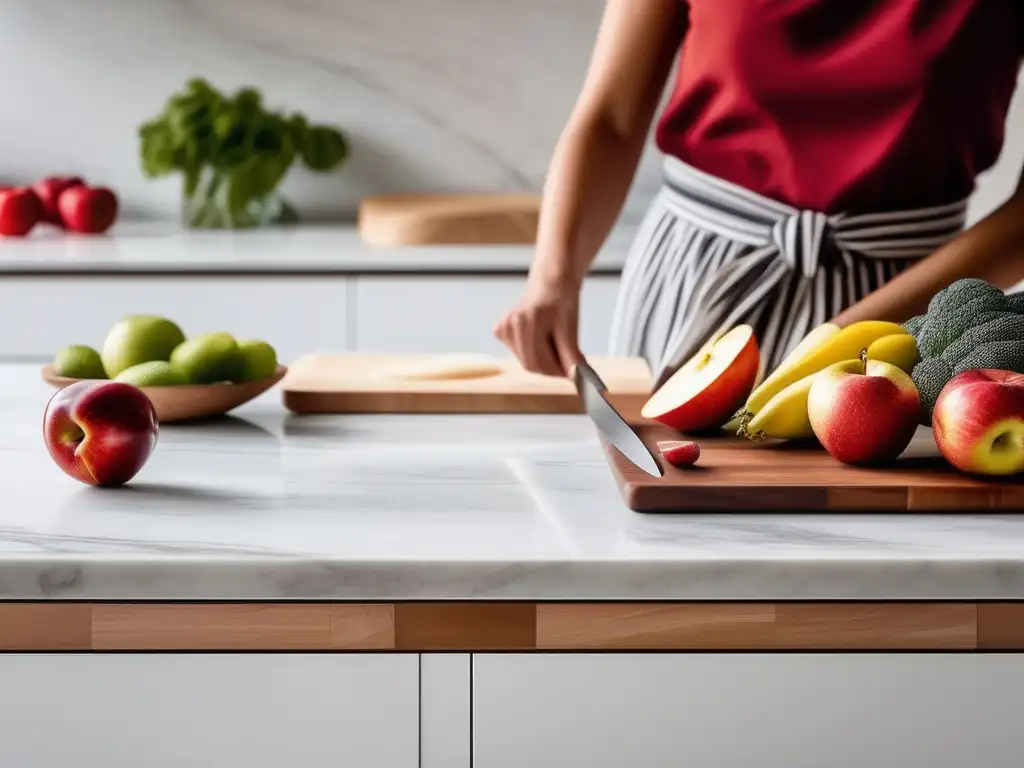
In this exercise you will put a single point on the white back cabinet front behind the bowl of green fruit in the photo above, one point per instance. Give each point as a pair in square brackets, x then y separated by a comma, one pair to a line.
[38, 316]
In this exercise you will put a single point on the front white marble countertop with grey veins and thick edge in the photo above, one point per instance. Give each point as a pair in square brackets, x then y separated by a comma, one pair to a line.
[267, 505]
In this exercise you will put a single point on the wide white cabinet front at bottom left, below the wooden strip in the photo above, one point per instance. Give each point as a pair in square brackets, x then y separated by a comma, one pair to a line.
[168, 711]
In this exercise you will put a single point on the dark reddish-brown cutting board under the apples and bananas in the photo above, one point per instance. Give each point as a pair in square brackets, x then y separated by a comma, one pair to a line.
[735, 475]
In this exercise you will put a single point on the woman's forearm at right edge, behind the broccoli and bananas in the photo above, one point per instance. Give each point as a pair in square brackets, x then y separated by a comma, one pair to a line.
[993, 250]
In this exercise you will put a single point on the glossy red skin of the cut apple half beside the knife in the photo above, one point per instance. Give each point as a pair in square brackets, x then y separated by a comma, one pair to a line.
[718, 403]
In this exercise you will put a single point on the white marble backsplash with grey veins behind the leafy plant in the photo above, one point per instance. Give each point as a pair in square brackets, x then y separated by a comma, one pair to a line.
[438, 96]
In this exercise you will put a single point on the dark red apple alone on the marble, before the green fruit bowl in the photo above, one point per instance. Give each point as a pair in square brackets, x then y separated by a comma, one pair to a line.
[101, 433]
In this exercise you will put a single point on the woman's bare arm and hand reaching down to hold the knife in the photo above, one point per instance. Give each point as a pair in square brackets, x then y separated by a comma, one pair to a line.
[590, 176]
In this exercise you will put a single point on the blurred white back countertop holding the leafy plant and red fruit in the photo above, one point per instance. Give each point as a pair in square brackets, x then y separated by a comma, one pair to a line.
[151, 248]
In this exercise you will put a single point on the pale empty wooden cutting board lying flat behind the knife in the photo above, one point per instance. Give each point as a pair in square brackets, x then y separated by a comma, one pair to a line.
[391, 385]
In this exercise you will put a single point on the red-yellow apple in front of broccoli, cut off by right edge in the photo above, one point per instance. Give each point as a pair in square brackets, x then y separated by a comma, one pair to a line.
[978, 422]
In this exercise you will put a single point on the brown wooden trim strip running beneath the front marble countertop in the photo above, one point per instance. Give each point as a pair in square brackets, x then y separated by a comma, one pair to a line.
[426, 627]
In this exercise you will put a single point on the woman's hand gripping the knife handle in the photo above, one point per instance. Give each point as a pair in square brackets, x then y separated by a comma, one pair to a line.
[542, 328]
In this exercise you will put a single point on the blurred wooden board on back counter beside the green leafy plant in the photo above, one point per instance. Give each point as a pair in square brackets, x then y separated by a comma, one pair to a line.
[424, 220]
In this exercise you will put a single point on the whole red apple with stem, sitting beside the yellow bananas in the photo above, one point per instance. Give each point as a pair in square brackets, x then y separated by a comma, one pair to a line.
[868, 416]
